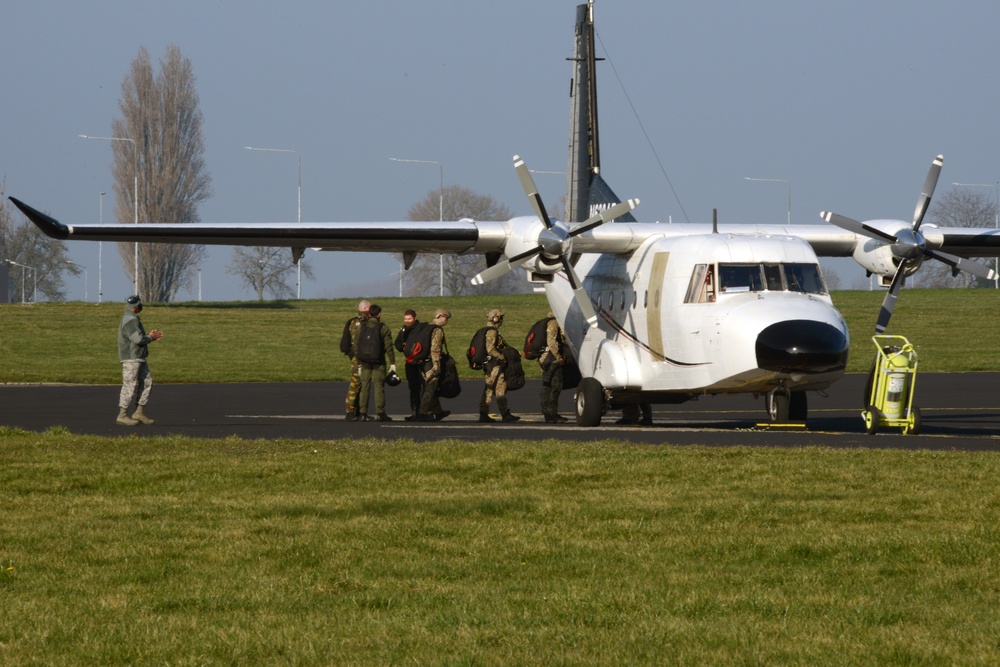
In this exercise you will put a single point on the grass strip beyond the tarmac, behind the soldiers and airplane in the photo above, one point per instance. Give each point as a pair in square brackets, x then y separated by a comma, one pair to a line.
[953, 330]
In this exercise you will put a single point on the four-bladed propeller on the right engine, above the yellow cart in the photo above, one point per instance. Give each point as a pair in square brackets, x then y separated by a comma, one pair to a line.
[909, 245]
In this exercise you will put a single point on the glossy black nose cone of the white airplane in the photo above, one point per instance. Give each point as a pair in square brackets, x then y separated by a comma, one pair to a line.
[802, 346]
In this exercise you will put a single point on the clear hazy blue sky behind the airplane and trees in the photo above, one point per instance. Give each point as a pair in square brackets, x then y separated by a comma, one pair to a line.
[848, 101]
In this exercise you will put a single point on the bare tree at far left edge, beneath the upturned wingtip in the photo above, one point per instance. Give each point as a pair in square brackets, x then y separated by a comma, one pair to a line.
[26, 245]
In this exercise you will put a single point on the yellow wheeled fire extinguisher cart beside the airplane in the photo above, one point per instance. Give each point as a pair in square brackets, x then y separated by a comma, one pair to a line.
[890, 393]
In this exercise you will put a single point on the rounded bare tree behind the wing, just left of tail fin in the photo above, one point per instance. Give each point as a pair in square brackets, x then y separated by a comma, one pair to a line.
[425, 275]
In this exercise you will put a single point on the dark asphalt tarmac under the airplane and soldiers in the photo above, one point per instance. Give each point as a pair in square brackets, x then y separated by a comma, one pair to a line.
[960, 411]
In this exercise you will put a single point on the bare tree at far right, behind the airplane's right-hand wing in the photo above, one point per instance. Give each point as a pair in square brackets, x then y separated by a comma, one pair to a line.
[959, 207]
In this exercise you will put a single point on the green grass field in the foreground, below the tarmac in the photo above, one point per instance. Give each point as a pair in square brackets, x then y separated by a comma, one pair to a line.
[179, 551]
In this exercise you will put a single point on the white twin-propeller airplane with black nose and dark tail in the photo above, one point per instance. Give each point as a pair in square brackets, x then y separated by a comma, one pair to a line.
[653, 313]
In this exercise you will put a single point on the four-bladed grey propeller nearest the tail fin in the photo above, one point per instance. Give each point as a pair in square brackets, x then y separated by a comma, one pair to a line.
[554, 241]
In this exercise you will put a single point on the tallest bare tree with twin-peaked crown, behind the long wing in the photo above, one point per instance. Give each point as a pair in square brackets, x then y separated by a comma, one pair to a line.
[162, 122]
